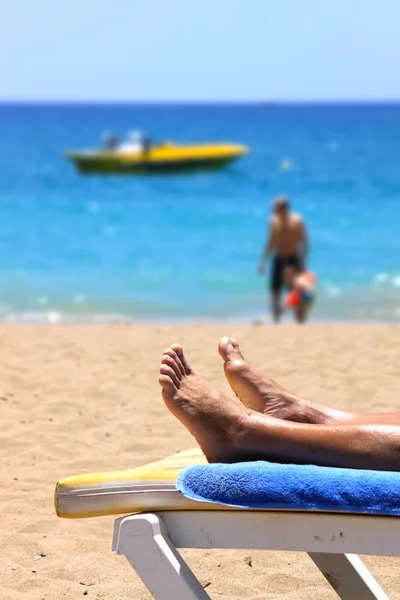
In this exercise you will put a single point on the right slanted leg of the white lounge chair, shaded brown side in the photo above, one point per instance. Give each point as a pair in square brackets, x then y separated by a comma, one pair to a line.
[348, 576]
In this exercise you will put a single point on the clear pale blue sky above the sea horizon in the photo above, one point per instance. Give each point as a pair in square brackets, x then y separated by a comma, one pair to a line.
[127, 50]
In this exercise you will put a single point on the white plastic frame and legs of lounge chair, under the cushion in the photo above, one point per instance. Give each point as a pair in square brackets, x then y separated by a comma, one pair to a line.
[149, 541]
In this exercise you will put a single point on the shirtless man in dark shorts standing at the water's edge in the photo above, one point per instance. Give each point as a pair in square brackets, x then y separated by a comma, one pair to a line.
[287, 242]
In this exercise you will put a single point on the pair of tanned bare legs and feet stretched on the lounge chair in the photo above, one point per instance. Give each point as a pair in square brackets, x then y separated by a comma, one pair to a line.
[270, 422]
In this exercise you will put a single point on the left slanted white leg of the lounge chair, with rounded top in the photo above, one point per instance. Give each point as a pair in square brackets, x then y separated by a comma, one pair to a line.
[143, 540]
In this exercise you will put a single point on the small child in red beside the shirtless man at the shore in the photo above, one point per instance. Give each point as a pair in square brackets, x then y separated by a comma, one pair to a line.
[301, 291]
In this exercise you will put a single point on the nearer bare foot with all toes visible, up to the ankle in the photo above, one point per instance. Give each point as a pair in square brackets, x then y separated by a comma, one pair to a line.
[212, 418]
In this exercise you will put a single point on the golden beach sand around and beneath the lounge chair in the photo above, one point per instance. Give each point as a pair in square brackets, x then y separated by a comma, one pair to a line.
[77, 399]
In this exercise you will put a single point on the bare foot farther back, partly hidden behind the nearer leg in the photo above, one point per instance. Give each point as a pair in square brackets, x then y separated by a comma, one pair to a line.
[262, 394]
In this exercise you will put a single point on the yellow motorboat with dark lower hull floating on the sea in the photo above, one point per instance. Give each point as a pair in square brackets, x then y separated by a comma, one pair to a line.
[165, 157]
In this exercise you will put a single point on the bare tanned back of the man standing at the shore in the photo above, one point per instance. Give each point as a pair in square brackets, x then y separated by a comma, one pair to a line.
[287, 234]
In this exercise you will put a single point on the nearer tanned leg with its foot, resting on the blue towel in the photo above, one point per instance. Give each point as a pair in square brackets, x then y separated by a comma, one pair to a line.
[229, 432]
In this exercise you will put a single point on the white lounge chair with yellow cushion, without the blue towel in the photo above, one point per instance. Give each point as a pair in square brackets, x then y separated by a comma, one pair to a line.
[168, 520]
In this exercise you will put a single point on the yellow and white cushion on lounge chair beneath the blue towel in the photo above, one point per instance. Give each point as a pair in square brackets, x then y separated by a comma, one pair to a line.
[144, 489]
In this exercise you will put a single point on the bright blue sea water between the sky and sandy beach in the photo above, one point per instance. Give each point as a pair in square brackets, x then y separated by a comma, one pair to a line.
[186, 247]
